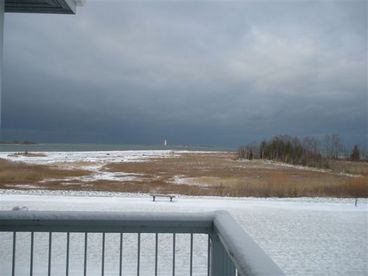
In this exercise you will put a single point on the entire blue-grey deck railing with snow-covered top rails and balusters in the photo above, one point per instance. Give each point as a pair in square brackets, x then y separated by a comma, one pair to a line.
[229, 250]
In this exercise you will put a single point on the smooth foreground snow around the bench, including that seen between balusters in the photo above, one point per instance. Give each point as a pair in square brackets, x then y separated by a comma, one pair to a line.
[304, 236]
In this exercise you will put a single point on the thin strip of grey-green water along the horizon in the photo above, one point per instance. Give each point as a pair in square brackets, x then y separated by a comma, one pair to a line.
[103, 147]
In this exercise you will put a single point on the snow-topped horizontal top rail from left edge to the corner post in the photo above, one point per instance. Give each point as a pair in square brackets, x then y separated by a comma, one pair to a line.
[128, 222]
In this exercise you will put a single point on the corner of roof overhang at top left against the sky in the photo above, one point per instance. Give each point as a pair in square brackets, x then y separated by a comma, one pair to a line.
[43, 6]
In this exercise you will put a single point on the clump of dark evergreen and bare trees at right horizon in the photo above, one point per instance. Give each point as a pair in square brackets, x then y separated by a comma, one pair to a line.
[308, 151]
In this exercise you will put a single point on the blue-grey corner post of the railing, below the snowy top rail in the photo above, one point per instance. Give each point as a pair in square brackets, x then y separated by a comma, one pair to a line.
[220, 265]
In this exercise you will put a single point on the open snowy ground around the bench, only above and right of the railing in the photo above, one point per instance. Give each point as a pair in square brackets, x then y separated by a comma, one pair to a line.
[304, 236]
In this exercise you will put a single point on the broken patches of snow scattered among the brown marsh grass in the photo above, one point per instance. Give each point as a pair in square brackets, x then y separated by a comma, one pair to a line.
[95, 161]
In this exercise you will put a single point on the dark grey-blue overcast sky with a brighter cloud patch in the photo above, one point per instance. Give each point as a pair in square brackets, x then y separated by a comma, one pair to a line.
[194, 72]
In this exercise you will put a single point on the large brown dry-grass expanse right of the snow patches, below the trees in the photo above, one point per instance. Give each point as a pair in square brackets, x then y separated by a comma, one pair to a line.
[221, 175]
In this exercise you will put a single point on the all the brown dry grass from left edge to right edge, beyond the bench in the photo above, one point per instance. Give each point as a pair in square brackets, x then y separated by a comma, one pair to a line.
[209, 174]
